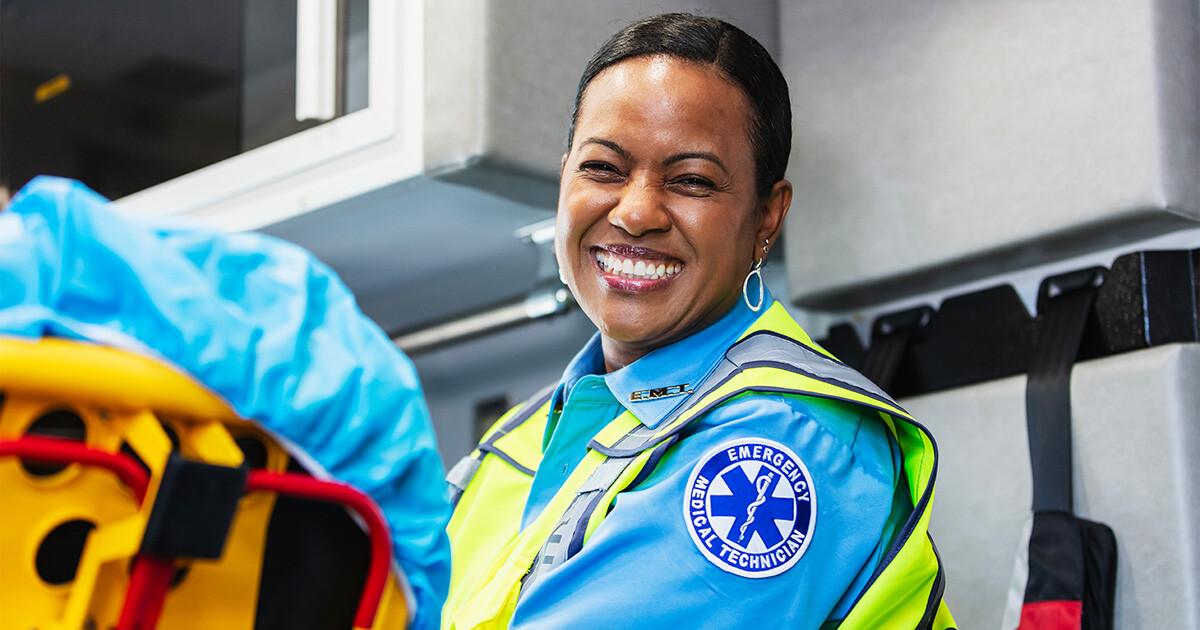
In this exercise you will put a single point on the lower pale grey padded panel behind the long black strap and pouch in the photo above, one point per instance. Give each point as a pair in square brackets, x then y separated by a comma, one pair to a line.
[1137, 469]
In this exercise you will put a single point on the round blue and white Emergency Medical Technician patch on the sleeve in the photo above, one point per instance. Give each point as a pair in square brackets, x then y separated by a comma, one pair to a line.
[751, 507]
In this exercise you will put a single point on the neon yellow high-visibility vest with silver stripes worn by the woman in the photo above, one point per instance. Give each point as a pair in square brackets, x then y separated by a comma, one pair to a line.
[494, 560]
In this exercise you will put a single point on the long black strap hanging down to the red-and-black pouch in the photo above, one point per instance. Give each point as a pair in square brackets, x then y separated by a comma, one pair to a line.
[1064, 307]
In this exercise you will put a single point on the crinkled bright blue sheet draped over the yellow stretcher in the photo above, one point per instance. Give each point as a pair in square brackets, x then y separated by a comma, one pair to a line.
[256, 320]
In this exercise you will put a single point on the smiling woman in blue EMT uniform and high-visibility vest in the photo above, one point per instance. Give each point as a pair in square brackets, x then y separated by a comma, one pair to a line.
[701, 464]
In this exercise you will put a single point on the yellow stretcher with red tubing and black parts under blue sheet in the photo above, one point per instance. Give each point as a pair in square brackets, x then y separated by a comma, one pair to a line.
[134, 499]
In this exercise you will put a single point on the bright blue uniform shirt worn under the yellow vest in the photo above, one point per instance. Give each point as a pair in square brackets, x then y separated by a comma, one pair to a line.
[641, 568]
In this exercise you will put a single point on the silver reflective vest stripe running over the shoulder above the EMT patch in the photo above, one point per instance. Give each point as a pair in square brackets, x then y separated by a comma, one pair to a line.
[761, 349]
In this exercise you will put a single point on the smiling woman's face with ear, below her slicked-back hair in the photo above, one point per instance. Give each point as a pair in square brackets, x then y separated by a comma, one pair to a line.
[658, 217]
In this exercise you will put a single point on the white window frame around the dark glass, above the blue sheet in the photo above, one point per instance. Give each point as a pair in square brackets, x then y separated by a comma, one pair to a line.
[347, 157]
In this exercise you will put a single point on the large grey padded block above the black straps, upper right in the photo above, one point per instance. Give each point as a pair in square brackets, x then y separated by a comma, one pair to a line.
[939, 143]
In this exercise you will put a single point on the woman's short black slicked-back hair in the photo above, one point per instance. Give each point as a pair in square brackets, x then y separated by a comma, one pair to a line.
[735, 55]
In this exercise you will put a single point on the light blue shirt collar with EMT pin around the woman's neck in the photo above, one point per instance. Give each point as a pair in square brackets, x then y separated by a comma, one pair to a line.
[656, 385]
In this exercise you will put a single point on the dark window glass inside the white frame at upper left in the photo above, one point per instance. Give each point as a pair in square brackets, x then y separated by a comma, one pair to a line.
[124, 95]
